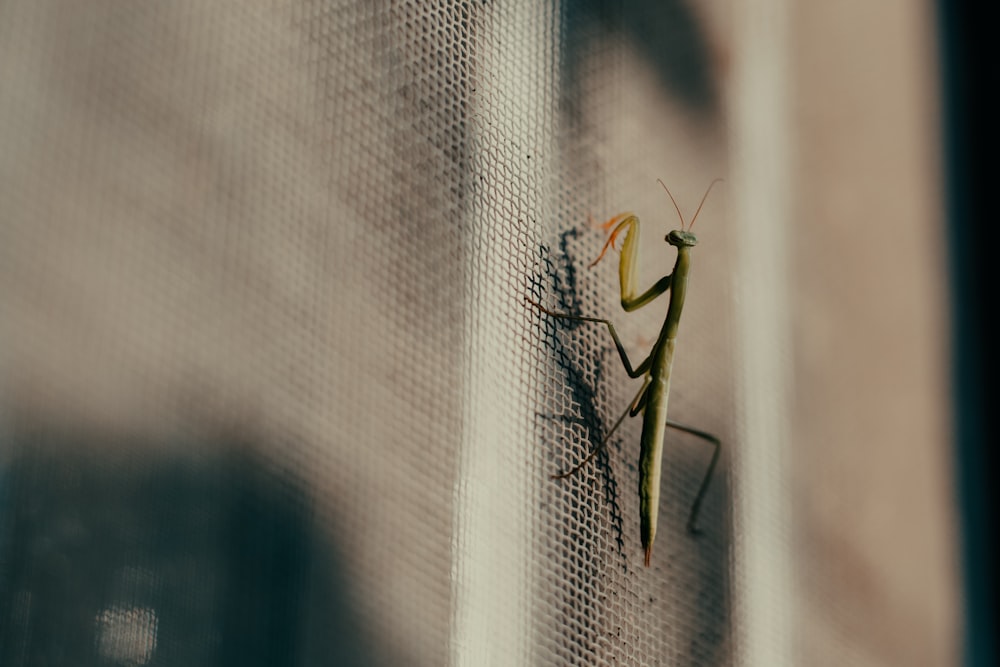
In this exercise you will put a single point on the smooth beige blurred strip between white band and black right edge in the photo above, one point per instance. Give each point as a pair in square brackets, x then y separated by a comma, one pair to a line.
[873, 463]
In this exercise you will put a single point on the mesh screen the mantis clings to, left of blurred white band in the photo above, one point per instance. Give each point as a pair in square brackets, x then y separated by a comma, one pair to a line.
[271, 391]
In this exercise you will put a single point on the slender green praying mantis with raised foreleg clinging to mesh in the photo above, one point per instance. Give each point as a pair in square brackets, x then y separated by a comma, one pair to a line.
[652, 398]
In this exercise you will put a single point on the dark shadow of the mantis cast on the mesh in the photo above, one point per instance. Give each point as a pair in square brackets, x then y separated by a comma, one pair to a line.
[582, 381]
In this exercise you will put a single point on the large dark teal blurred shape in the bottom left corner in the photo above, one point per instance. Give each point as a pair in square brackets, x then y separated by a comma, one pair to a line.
[115, 556]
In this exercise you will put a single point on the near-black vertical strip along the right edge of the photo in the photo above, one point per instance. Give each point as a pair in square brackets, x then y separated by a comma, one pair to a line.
[971, 77]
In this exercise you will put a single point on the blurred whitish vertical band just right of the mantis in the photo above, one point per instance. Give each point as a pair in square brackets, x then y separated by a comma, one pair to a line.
[762, 151]
